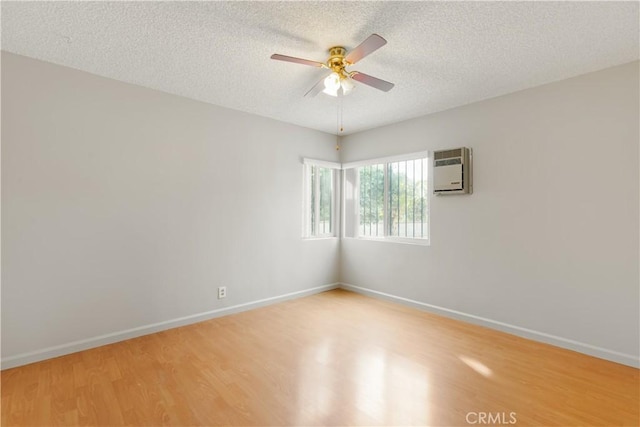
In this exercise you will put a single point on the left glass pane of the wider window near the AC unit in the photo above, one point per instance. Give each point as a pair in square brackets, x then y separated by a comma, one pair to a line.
[371, 201]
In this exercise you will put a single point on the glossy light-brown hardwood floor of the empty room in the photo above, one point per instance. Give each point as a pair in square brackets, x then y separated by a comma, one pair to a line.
[335, 358]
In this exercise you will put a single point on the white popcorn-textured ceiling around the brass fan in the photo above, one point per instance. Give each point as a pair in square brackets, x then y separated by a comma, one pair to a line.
[439, 54]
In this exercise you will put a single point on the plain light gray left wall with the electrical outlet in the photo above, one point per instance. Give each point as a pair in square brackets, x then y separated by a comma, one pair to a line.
[124, 207]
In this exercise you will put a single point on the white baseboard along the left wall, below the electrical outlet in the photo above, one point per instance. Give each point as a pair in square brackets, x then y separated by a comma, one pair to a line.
[75, 346]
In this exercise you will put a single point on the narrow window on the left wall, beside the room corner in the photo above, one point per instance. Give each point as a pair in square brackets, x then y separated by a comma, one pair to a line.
[320, 207]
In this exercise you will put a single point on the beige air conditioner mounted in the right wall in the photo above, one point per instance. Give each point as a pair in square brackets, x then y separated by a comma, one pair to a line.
[452, 171]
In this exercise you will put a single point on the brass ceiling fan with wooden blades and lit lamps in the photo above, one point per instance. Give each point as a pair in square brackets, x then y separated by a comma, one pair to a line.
[339, 82]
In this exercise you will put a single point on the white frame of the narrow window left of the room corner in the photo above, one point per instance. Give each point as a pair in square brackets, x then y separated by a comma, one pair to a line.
[307, 223]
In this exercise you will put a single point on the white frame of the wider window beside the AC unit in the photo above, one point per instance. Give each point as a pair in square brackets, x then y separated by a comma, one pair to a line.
[385, 162]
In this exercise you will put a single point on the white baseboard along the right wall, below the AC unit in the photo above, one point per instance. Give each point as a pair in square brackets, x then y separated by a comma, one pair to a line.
[591, 350]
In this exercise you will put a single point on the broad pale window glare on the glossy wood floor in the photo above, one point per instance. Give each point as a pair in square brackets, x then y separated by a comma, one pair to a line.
[377, 387]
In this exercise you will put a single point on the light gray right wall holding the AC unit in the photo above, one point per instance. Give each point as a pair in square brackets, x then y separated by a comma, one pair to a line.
[549, 239]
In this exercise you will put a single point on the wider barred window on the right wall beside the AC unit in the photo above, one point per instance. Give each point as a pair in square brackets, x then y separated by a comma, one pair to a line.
[388, 199]
